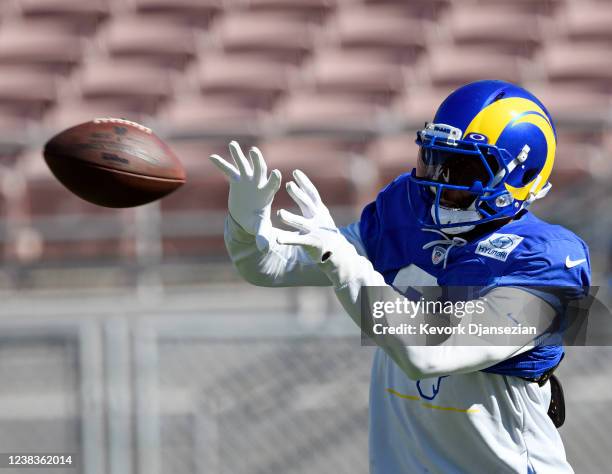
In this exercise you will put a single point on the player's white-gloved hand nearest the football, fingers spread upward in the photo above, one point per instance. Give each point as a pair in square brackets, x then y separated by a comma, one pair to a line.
[251, 190]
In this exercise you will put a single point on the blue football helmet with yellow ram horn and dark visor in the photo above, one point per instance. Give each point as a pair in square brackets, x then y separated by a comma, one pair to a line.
[487, 155]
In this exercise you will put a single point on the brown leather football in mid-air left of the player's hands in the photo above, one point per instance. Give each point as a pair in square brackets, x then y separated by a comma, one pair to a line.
[114, 163]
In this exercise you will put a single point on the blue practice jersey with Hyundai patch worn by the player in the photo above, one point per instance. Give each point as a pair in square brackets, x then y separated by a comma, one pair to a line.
[526, 252]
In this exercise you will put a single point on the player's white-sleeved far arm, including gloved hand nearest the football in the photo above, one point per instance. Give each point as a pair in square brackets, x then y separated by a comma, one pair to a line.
[250, 238]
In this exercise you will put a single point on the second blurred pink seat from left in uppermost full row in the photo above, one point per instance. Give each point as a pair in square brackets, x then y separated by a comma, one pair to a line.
[159, 42]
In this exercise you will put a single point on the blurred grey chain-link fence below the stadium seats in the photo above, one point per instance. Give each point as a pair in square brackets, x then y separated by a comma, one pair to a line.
[158, 390]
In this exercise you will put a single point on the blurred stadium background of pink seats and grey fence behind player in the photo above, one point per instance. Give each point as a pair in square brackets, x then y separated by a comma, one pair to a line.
[126, 335]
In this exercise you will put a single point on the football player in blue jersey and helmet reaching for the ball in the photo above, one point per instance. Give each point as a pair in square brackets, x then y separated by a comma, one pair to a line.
[460, 218]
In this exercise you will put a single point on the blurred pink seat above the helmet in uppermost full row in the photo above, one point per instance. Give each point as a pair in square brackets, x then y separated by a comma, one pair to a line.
[494, 28]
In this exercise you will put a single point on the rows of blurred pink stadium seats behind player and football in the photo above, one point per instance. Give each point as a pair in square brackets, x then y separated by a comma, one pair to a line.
[335, 87]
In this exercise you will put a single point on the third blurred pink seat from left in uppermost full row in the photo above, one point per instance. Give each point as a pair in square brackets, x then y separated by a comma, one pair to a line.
[279, 37]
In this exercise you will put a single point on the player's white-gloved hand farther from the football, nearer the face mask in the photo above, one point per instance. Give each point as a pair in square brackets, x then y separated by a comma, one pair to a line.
[317, 233]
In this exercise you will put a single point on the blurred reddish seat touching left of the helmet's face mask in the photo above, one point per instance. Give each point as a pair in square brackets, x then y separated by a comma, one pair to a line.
[393, 155]
